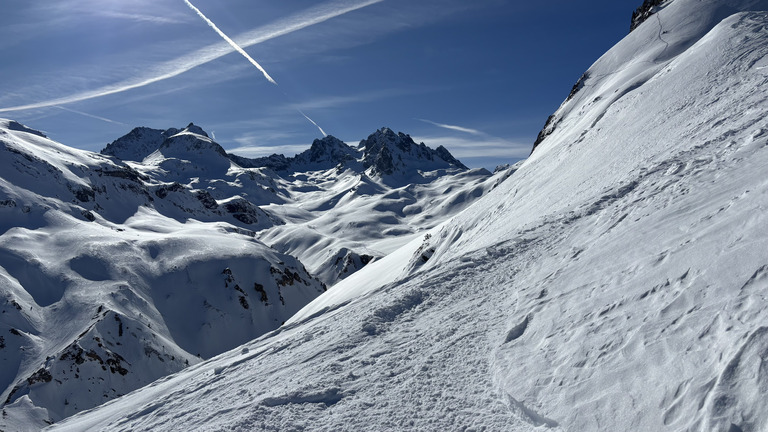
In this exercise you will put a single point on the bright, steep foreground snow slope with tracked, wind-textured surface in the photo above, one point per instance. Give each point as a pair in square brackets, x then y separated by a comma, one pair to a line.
[617, 281]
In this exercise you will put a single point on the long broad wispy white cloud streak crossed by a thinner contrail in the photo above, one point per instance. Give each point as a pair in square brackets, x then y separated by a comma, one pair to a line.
[173, 68]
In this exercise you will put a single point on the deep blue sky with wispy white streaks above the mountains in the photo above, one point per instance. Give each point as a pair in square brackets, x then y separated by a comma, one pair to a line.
[477, 77]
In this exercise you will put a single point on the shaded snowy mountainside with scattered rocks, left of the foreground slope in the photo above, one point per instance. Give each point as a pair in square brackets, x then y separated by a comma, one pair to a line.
[102, 292]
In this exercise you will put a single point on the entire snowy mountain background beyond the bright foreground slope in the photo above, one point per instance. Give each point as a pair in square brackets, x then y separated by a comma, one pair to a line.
[117, 269]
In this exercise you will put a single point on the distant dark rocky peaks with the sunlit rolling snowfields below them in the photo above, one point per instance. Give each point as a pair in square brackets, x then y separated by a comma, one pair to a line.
[334, 206]
